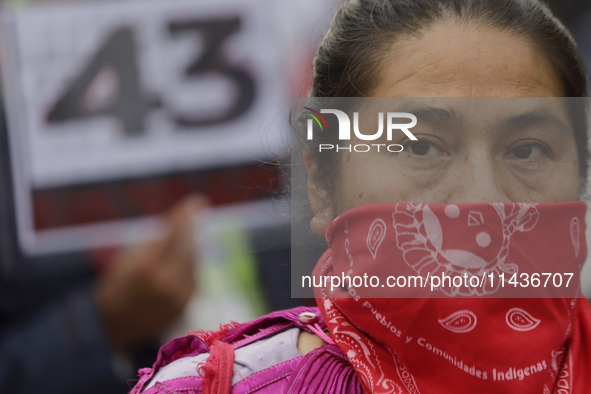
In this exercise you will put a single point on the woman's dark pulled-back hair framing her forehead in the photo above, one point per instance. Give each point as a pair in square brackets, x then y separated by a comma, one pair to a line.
[362, 30]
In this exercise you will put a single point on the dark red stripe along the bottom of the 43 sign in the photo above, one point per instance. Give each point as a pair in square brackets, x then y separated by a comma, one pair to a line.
[89, 204]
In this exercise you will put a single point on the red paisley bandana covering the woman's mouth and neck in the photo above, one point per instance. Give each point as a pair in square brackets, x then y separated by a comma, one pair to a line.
[460, 344]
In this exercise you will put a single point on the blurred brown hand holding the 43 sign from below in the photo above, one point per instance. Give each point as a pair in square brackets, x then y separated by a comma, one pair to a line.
[147, 287]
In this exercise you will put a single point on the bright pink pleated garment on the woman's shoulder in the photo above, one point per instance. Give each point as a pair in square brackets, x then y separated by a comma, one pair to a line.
[323, 370]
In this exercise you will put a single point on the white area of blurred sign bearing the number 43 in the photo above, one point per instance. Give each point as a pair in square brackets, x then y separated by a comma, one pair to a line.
[109, 90]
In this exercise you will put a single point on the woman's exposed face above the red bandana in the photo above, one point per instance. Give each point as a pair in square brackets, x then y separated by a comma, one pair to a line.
[467, 158]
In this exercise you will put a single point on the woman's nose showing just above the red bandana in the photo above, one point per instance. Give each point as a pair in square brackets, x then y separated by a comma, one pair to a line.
[476, 178]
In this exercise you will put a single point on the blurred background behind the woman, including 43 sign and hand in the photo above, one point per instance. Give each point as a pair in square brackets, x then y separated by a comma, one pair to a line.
[143, 170]
